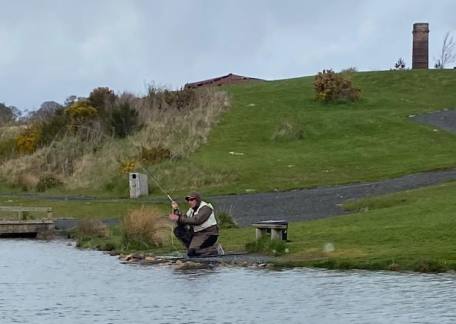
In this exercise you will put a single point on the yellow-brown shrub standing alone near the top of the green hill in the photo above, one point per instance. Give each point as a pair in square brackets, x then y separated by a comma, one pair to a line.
[332, 87]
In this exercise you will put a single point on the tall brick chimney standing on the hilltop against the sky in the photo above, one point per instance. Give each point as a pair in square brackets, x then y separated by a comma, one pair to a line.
[420, 55]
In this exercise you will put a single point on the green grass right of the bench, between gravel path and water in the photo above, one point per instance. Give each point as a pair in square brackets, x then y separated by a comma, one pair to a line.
[413, 230]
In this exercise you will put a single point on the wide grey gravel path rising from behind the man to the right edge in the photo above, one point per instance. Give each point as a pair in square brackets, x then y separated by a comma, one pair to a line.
[317, 203]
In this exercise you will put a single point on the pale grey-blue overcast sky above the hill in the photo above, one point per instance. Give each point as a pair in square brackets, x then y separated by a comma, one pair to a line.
[53, 49]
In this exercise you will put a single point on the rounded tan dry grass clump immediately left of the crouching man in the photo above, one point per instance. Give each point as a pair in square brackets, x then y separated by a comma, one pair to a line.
[144, 228]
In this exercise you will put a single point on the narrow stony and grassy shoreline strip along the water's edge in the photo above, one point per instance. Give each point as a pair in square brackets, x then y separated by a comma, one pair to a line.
[257, 261]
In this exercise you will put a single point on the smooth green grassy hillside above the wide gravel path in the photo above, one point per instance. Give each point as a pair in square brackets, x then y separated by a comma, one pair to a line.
[280, 138]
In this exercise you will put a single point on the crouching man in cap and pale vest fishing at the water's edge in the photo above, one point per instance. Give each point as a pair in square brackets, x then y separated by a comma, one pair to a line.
[197, 229]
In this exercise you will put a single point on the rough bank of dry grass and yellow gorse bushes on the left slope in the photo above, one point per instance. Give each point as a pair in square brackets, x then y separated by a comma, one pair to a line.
[93, 142]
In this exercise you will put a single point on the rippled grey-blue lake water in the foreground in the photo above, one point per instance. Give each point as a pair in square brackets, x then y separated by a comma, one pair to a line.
[51, 282]
